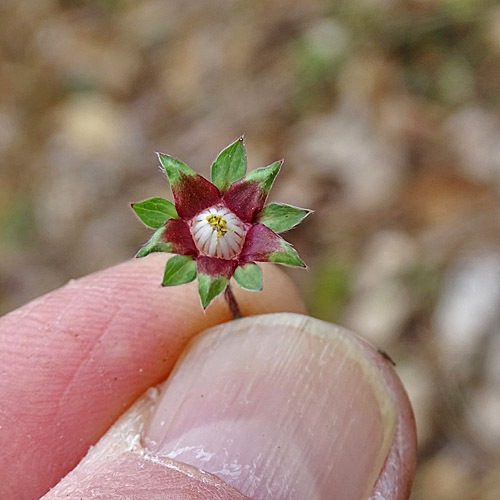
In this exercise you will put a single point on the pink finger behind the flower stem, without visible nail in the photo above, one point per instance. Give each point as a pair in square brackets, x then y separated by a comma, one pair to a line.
[72, 361]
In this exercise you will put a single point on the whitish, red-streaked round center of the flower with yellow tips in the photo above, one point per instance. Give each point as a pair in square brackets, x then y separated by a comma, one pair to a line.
[218, 232]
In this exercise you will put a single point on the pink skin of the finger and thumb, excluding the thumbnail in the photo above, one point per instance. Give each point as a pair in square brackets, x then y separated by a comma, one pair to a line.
[76, 359]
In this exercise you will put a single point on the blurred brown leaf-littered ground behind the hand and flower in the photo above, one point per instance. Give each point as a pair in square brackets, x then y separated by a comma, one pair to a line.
[387, 113]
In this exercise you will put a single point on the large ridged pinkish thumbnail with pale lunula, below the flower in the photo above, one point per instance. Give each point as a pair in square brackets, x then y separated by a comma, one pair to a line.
[279, 406]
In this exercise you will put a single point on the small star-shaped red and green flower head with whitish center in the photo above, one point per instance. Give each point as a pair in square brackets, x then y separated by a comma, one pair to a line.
[219, 229]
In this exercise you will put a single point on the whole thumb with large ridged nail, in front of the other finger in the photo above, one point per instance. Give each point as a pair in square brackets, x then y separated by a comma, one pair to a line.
[278, 406]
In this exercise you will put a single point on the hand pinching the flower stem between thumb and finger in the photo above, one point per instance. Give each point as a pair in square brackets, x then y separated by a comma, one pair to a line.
[279, 406]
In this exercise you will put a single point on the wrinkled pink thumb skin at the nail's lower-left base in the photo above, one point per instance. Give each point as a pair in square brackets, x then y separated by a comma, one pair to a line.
[119, 467]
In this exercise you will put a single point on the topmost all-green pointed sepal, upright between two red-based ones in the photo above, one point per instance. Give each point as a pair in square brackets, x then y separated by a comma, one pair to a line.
[230, 165]
